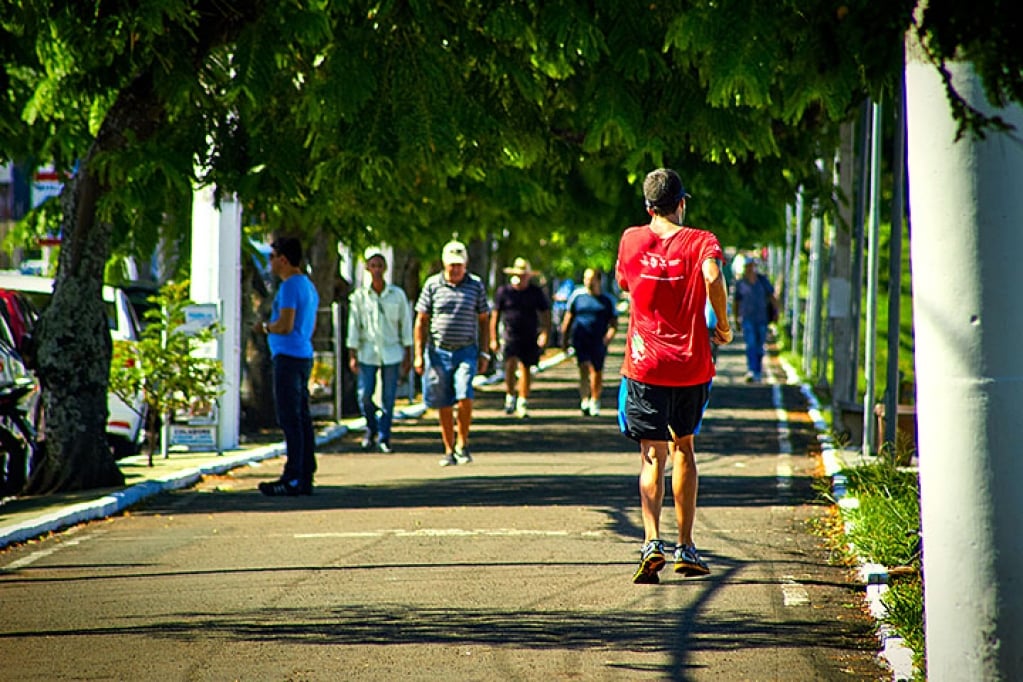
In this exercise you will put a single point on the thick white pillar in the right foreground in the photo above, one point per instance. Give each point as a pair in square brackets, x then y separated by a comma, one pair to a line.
[967, 212]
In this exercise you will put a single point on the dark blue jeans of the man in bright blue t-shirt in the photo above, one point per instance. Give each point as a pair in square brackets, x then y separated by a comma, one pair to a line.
[291, 398]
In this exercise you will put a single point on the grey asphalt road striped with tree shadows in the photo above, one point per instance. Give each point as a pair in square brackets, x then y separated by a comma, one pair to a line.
[517, 567]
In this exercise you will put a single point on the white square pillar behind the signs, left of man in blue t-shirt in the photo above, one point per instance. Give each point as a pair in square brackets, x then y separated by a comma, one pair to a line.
[216, 278]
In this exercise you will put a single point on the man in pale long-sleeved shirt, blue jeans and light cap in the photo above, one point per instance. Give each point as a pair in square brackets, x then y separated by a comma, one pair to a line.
[380, 343]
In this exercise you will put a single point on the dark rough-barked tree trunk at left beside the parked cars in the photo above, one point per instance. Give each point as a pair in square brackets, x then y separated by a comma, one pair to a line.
[75, 346]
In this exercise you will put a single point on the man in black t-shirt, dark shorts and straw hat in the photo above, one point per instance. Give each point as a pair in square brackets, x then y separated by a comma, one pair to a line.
[522, 315]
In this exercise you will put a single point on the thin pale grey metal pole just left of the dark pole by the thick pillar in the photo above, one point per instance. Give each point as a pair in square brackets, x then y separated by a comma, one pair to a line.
[870, 423]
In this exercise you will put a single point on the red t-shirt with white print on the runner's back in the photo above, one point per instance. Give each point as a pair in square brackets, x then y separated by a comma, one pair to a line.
[669, 343]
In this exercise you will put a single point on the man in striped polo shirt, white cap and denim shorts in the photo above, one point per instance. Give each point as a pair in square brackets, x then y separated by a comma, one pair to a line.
[452, 335]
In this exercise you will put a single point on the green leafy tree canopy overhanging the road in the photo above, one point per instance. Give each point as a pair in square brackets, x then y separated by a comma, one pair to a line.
[407, 121]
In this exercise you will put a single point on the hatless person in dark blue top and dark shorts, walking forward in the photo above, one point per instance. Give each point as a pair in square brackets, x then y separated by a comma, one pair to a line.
[590, 325]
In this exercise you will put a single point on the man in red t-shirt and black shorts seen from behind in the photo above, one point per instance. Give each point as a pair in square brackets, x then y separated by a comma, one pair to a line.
[671, 272]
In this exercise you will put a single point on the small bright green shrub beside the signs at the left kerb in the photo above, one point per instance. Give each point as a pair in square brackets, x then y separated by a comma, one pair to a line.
[162, 366]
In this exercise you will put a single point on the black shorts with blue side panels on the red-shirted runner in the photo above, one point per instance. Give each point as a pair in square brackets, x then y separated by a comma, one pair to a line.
[649, 413]
